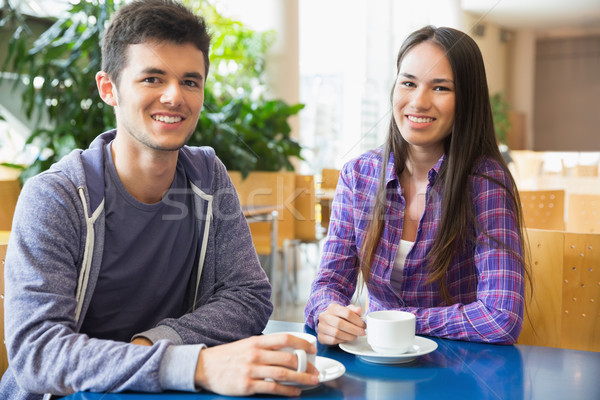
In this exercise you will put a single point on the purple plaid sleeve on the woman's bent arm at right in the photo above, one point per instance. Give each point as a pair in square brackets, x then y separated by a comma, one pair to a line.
[496, 312]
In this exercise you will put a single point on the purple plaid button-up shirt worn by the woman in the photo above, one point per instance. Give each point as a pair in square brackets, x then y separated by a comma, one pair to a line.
[486, 282]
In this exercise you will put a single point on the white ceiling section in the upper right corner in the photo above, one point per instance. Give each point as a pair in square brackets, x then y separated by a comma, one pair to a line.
[537, 14]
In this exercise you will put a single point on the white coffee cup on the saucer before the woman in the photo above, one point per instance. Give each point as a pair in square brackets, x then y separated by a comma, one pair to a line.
[391, 331]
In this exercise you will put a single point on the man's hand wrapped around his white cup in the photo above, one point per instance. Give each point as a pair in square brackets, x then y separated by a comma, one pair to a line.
[240, 368]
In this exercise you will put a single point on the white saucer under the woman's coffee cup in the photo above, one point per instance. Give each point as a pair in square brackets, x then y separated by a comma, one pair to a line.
[363, 350]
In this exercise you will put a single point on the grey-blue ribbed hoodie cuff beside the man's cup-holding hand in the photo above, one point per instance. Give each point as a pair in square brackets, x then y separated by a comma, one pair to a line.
[178, 367]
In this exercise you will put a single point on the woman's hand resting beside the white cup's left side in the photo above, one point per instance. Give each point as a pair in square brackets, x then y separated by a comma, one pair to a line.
[340, 324]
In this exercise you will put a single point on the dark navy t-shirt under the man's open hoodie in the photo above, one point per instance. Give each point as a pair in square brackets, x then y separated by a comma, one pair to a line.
[150, 252]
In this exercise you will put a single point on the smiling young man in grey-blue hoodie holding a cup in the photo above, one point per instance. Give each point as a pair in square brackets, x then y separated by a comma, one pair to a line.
[127, 259]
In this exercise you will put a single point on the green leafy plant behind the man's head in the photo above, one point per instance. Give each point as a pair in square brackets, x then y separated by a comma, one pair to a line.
[248, 130]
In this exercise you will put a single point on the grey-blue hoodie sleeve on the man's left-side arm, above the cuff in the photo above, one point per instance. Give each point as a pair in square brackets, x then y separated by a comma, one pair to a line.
[46, 353]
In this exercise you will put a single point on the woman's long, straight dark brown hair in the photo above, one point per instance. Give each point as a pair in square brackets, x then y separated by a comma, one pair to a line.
[472, 138]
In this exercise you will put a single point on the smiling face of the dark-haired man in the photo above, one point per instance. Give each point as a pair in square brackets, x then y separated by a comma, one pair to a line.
[160, 95]
